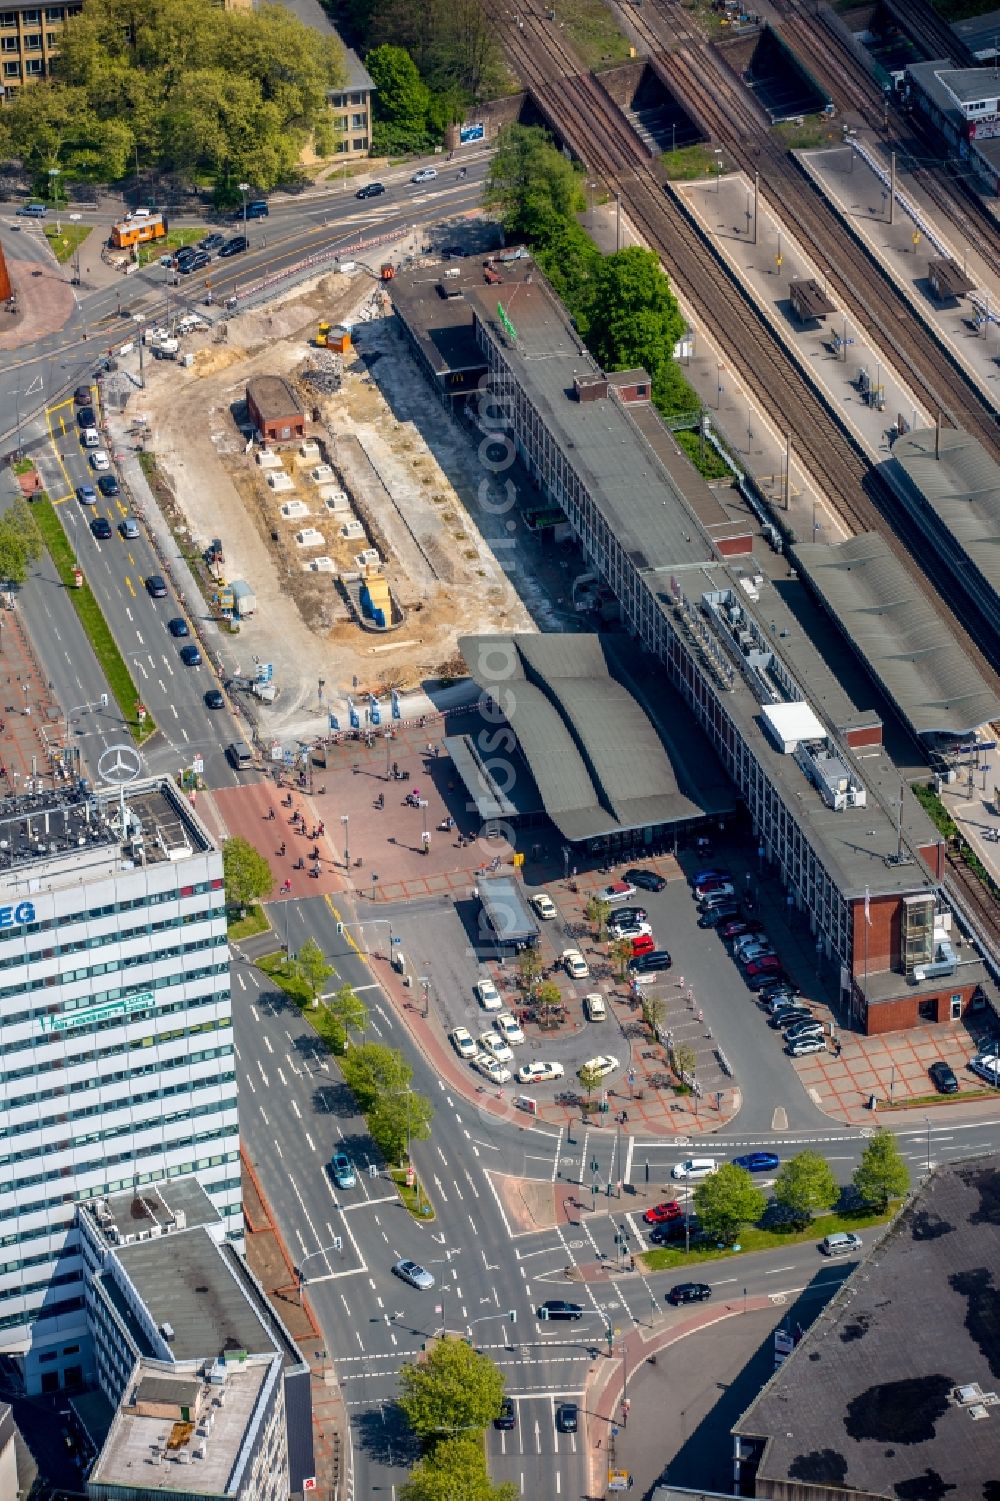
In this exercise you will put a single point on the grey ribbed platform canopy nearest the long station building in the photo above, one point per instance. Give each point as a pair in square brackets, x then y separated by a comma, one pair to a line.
[902, 637]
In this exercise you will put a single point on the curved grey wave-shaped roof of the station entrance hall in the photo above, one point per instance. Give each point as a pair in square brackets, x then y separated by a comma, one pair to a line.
[597, 759]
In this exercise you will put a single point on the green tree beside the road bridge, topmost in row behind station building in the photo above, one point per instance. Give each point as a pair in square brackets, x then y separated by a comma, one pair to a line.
[532, 187]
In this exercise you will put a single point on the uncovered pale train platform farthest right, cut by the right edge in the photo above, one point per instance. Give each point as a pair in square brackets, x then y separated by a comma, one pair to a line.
[929, 265]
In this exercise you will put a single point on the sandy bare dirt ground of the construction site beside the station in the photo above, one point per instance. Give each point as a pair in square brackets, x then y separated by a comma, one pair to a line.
[439, 567]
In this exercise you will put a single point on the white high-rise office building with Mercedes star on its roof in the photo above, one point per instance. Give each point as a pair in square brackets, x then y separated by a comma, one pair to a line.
[116, 1041]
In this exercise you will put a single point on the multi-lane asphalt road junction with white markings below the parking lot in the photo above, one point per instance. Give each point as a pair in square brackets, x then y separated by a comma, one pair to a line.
[295, 1113]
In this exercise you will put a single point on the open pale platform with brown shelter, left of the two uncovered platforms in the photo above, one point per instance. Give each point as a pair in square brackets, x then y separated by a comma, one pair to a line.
[822, 337]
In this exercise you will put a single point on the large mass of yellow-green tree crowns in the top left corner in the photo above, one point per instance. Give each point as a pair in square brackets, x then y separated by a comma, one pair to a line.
[182, 86]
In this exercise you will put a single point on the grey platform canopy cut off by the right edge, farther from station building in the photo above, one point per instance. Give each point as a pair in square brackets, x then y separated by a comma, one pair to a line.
[962, 487]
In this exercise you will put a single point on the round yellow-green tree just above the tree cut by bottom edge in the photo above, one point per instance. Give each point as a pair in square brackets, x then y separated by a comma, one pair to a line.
[453, 1389]
